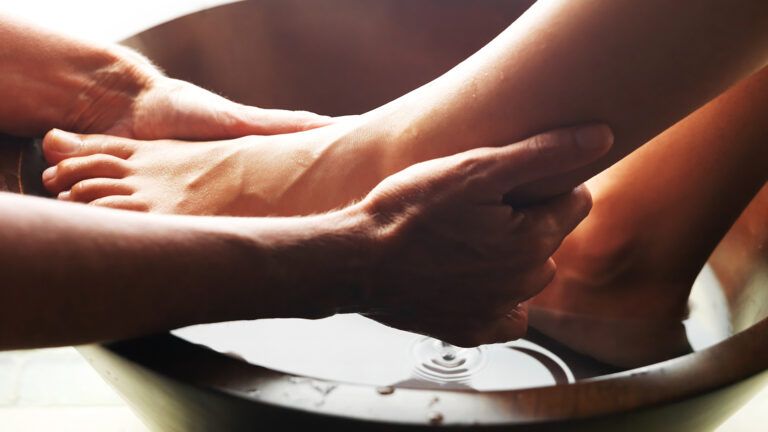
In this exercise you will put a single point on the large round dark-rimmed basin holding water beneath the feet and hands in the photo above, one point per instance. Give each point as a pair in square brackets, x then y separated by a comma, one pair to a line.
[341, 57]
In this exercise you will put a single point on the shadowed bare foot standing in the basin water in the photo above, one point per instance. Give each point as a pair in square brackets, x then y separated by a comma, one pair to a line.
[615, 297]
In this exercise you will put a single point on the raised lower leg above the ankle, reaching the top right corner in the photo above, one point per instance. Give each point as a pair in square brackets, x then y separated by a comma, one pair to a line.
[637, 66]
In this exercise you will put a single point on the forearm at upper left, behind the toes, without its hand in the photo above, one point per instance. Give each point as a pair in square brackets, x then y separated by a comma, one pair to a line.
[48, 80]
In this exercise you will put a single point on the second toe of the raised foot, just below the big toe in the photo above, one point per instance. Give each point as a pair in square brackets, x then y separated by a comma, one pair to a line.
[70, 171]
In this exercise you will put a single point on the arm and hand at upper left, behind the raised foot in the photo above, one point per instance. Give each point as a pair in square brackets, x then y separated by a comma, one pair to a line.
[51, 80]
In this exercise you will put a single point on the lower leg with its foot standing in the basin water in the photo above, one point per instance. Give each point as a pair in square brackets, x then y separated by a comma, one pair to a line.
[658, 215]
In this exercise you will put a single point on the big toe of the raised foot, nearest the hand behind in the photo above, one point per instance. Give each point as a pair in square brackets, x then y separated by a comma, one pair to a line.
[59, 145]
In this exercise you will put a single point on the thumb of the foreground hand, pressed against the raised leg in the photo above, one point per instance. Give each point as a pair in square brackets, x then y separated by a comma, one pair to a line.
[547, 154]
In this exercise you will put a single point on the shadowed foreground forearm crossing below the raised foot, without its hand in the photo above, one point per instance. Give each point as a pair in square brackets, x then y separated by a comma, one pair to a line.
[74, 274]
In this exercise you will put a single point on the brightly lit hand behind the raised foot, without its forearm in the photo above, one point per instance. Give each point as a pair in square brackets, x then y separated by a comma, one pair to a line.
[158, 107]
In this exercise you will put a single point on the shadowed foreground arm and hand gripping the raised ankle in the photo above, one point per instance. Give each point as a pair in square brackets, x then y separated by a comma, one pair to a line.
[430, 230]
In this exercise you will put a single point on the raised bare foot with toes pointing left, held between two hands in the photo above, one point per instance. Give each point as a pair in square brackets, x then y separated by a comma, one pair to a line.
[292, 174]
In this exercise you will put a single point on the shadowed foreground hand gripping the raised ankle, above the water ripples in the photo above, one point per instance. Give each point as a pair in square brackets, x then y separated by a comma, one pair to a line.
[451, 259]
